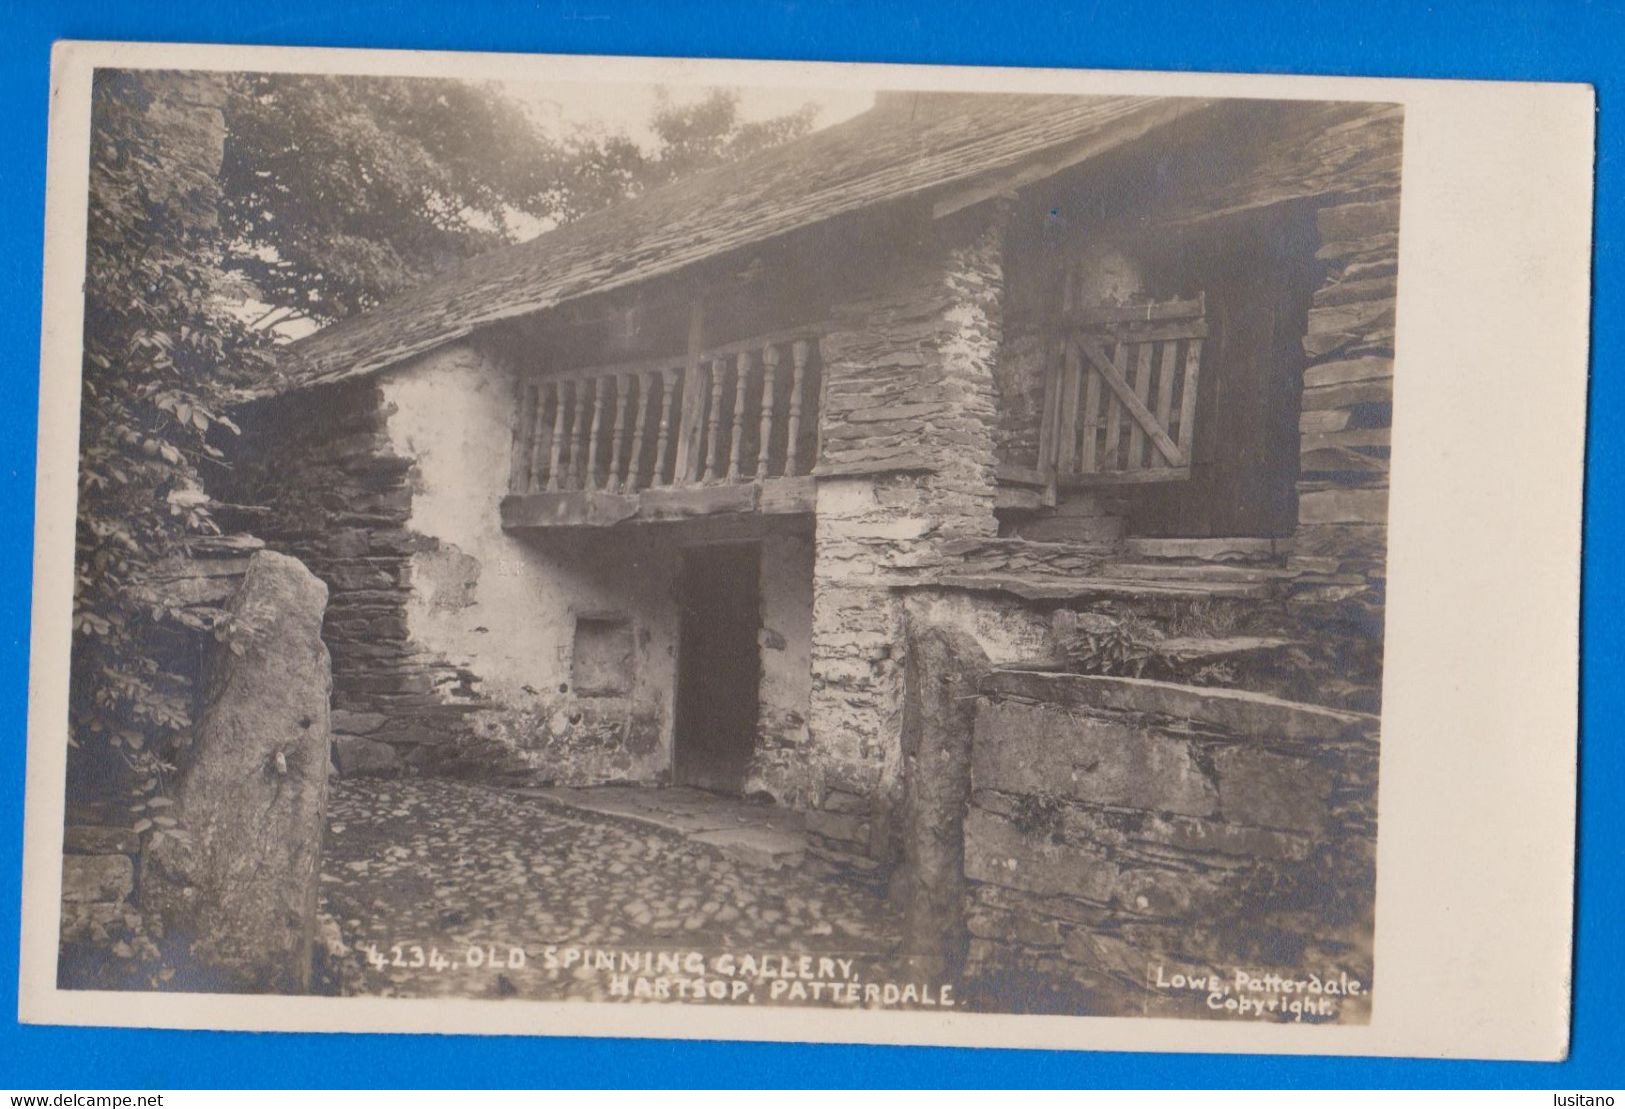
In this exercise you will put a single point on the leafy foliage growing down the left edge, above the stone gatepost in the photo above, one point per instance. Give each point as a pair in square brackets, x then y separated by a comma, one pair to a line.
[158, 336]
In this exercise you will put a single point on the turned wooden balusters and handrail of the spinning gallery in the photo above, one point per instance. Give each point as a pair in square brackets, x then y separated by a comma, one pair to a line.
[745, 412]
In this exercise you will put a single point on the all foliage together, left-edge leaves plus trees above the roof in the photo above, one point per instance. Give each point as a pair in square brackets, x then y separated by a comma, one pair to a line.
[316, 198]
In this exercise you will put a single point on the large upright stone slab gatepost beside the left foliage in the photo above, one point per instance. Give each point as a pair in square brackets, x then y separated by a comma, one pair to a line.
[240, 890]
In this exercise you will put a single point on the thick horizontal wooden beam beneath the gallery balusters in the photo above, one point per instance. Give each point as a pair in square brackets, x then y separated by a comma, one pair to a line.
[774, 497]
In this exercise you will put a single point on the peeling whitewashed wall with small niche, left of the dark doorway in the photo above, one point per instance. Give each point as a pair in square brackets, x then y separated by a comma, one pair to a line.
[505, 609]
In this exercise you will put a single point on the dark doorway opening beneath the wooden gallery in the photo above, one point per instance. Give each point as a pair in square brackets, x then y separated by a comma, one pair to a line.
[719, 669]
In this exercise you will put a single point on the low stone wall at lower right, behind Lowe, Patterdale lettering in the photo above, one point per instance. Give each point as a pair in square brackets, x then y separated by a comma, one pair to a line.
[1127, 832]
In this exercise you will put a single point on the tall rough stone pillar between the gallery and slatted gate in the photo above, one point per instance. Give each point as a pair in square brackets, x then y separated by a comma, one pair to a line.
[906, 466]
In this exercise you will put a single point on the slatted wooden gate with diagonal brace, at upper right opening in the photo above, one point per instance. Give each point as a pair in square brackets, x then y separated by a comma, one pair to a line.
[1120, 394]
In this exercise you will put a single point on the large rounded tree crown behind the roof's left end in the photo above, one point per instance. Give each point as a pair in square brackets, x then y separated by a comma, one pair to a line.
[339, 191]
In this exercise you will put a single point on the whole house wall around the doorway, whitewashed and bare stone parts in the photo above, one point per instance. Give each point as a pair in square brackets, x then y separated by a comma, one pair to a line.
[454, 641]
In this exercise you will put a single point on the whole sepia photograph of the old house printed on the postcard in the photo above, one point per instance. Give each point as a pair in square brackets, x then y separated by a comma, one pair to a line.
[729, 546]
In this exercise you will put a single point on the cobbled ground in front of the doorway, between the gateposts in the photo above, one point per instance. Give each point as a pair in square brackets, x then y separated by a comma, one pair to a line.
[436, 884]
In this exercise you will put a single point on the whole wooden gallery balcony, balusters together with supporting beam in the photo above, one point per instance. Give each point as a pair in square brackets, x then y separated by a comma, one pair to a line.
[732, 430]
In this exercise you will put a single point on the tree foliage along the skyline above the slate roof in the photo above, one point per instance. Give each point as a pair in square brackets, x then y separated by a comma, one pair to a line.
[340, 191]
